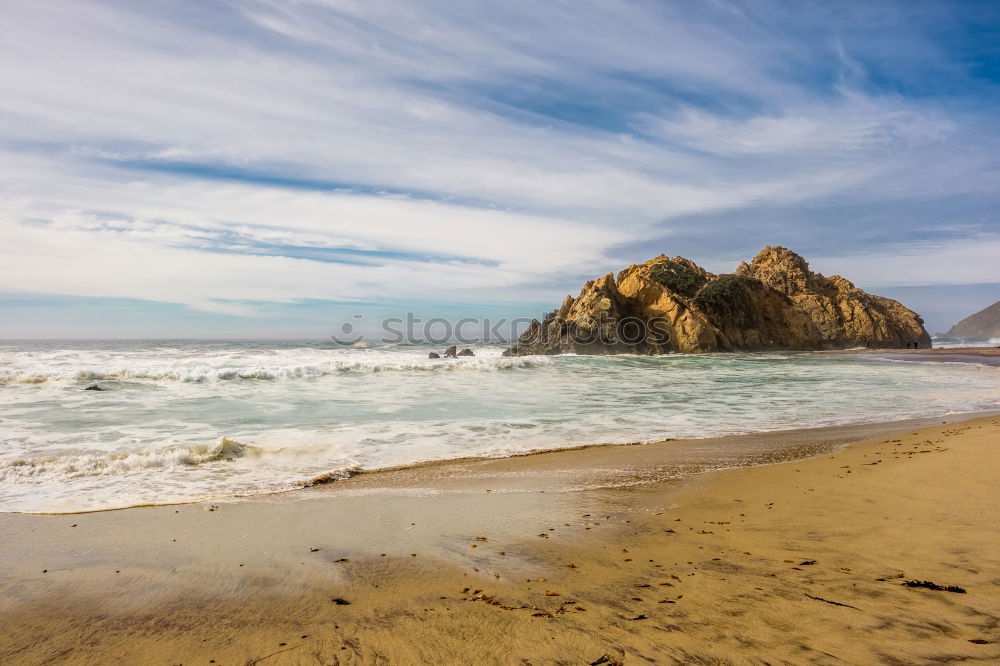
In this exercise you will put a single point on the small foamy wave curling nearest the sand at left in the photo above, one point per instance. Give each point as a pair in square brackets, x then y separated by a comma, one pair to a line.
[118, 464]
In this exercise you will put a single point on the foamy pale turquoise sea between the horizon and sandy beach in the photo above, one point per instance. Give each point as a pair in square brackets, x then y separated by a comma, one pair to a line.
[189, 420]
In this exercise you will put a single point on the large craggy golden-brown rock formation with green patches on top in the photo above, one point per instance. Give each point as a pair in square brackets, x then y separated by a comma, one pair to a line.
[774, 302]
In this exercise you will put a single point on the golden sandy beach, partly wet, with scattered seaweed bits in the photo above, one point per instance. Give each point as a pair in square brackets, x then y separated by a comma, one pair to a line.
[597, 555]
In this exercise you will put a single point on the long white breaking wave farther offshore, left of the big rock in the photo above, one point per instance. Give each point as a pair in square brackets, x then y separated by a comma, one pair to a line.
[208, 373]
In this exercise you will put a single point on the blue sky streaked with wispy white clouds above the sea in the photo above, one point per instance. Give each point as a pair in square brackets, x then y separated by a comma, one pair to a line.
[271, 168]
